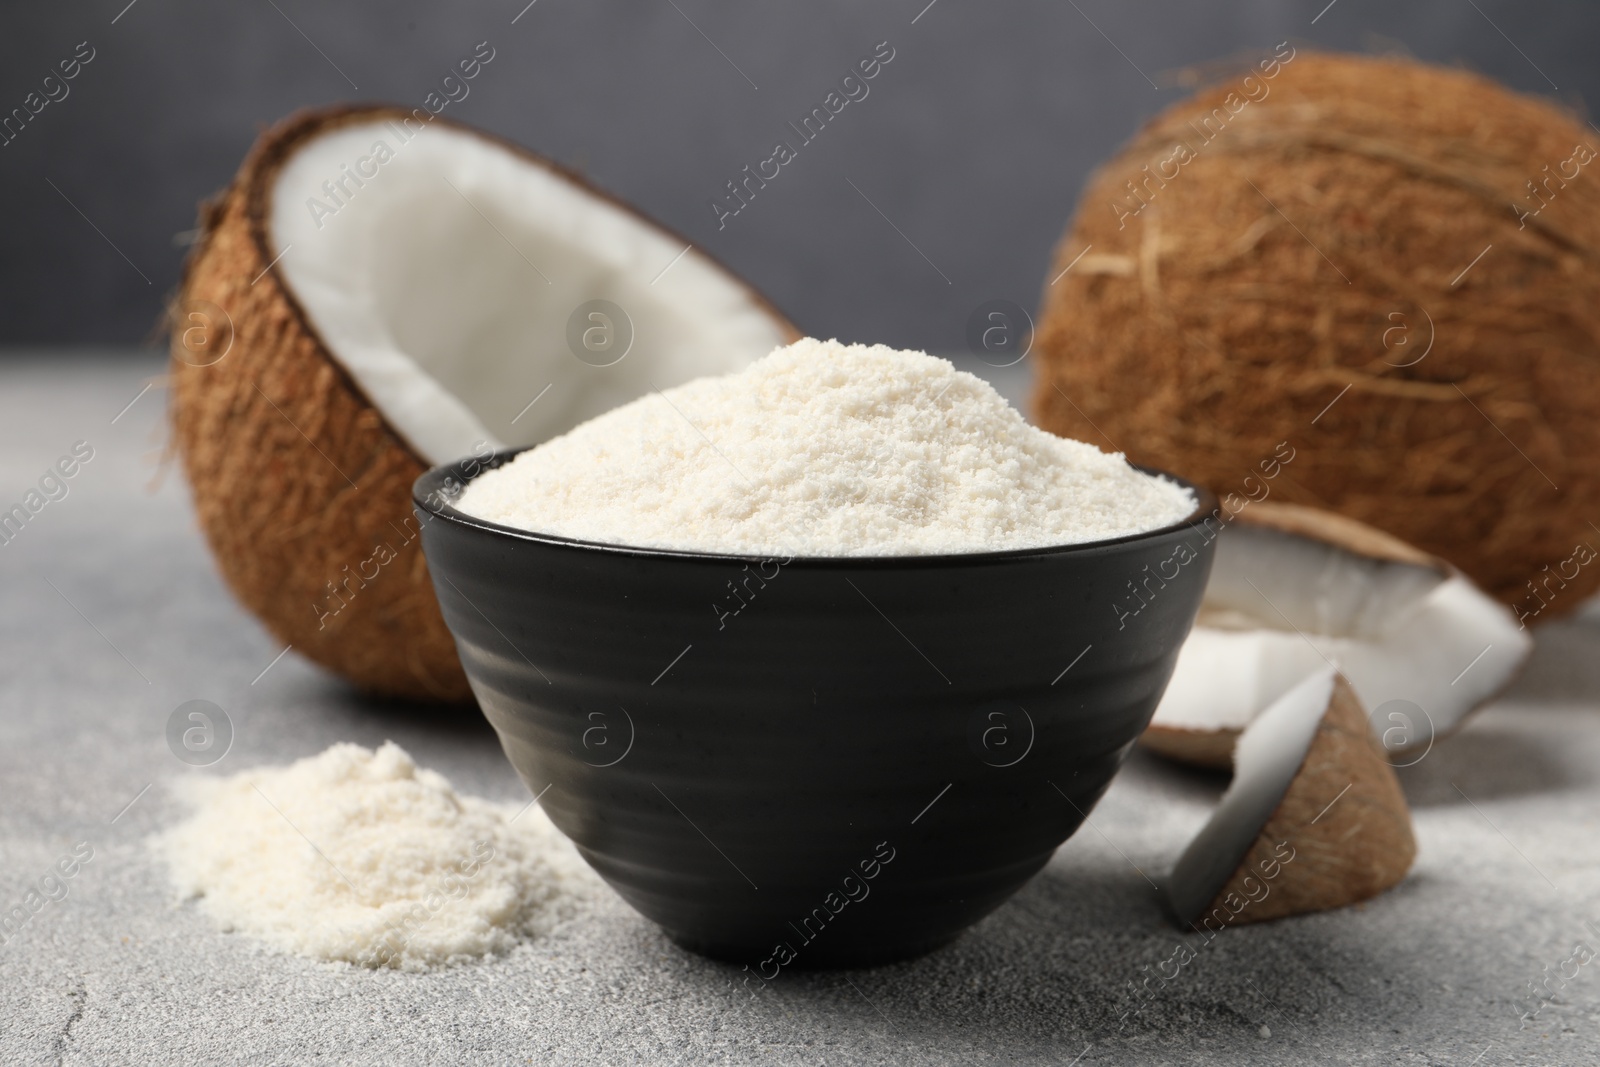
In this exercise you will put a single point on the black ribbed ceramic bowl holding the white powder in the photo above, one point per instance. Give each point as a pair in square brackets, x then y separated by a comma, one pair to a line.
[814, 762]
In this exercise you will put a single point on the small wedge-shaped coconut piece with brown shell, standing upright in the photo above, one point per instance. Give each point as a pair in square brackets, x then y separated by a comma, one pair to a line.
[1313, 820]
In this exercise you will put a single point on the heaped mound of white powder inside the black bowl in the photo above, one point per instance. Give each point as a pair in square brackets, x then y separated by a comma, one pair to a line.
[825, 449]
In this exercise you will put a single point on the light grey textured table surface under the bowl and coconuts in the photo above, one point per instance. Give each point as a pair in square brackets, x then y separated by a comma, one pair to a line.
[113, 615]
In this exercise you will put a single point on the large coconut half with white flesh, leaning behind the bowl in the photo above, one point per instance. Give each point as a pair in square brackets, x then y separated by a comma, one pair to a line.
[380, 292]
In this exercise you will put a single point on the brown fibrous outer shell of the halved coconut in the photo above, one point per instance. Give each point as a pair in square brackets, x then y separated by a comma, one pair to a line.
[295, 474]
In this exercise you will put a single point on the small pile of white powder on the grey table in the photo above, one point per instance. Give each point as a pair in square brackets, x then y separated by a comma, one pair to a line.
[362, 857]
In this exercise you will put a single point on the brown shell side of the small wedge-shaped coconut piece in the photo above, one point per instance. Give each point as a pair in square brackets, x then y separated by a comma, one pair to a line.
[1345, 818]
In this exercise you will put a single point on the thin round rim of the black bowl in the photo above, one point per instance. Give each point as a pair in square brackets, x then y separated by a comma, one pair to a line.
[430, 497]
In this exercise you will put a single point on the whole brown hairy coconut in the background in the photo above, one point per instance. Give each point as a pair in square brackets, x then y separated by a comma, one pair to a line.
[1222, 321]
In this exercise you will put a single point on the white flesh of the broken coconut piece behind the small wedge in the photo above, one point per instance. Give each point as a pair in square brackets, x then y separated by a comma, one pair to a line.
[1281, 607]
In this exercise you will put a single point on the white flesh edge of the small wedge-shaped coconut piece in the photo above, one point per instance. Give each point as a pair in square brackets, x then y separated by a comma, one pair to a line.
[1266, 761]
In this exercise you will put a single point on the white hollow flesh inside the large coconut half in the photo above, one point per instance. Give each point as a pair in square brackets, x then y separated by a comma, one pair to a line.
[444, 286]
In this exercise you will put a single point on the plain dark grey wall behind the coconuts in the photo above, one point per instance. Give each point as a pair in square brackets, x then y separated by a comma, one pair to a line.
[975, 142]
